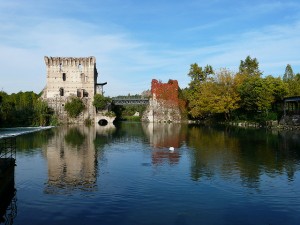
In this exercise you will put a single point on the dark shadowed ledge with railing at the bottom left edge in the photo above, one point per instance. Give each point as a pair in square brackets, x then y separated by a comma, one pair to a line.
[8, 200]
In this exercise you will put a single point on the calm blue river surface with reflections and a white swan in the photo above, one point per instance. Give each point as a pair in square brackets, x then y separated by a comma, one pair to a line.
[127, 175]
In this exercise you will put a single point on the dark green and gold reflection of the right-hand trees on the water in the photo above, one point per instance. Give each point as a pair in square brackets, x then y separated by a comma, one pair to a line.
[242, 152]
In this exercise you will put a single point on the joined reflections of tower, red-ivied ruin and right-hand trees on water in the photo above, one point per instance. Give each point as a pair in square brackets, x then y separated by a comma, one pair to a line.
[73, 153]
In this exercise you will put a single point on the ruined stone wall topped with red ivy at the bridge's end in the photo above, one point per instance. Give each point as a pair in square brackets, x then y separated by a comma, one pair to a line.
[164, 104]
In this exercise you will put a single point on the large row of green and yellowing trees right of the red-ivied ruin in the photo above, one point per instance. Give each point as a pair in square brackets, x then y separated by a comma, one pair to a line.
[242, 95]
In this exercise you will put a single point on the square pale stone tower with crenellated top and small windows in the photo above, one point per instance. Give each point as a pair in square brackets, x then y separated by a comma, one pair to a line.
[69, 77]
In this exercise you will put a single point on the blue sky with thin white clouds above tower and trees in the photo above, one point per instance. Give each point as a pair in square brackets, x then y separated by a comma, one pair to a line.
[135, 41]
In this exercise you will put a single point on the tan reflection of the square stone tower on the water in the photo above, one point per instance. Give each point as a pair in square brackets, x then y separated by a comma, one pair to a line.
[73, 159]
